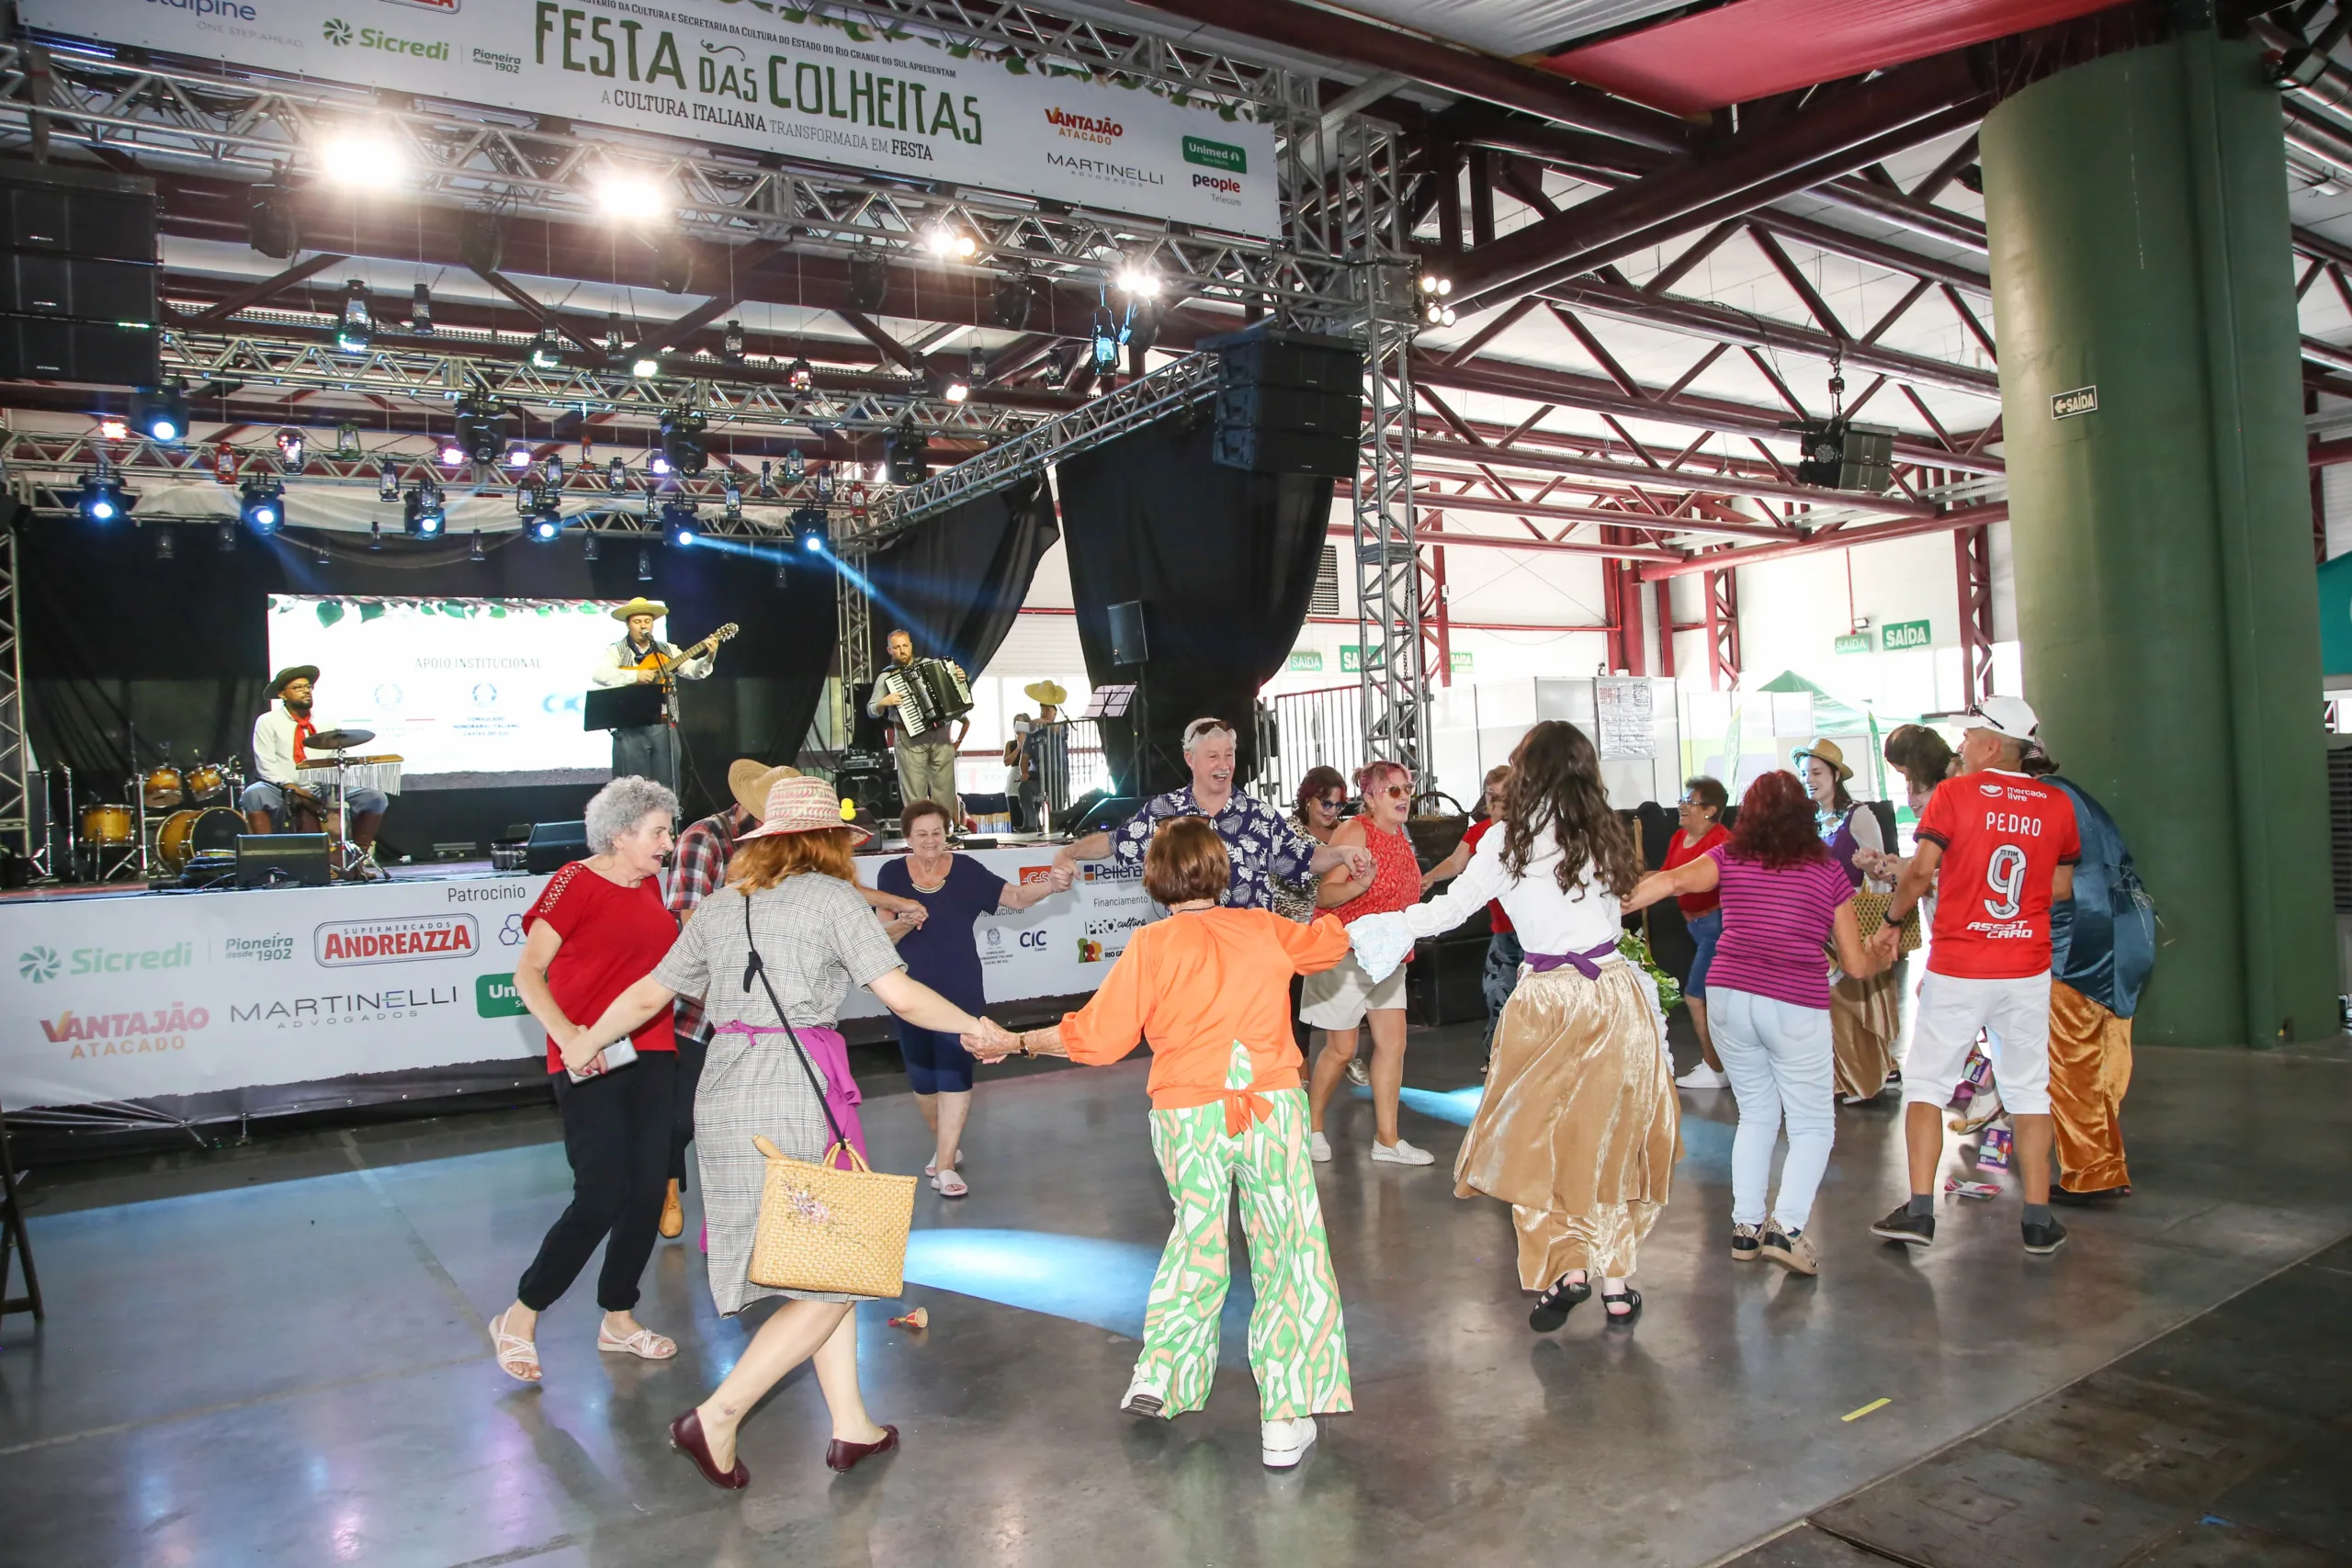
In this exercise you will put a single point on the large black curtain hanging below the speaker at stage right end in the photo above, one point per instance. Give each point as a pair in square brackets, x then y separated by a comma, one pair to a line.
[1224, 565]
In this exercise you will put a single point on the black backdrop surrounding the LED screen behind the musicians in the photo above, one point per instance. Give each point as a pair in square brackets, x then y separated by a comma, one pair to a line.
[119, 641]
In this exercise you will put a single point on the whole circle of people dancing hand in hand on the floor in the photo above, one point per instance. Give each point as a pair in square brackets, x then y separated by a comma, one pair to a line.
[707, 1017]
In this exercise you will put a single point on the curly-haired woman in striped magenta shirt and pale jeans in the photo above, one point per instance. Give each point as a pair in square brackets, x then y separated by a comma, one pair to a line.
[1770, 1005]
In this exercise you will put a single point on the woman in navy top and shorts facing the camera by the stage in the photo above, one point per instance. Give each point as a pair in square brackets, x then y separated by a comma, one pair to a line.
[942, 951]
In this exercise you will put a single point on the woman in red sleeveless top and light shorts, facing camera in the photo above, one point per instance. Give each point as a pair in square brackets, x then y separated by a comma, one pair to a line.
[1339, 1000]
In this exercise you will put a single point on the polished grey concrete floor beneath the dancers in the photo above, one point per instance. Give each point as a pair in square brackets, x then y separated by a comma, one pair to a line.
[279, 1358]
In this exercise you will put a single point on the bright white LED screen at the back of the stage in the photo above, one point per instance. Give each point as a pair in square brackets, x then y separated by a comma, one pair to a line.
[462, 690]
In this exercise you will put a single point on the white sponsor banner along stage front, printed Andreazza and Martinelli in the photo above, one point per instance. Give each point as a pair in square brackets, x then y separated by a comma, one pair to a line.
[194, 993]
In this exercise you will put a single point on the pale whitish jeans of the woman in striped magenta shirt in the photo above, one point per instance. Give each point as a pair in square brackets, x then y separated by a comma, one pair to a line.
[1779, 1061]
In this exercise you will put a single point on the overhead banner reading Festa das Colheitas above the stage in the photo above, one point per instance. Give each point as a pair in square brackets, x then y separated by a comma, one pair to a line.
[744, 74]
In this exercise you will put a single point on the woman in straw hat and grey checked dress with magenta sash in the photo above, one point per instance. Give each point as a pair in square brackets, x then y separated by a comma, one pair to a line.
[791, 892]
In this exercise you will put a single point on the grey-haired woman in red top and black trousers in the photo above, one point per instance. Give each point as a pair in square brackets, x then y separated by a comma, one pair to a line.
[601, 927]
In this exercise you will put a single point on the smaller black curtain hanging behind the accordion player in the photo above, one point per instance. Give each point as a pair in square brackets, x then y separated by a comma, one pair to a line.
[956, 582]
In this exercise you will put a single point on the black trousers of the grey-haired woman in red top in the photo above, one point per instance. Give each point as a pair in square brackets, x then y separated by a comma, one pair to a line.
[617, 1137]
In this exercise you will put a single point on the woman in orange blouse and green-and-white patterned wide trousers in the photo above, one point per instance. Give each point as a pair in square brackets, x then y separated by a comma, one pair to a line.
[1212, 991]
